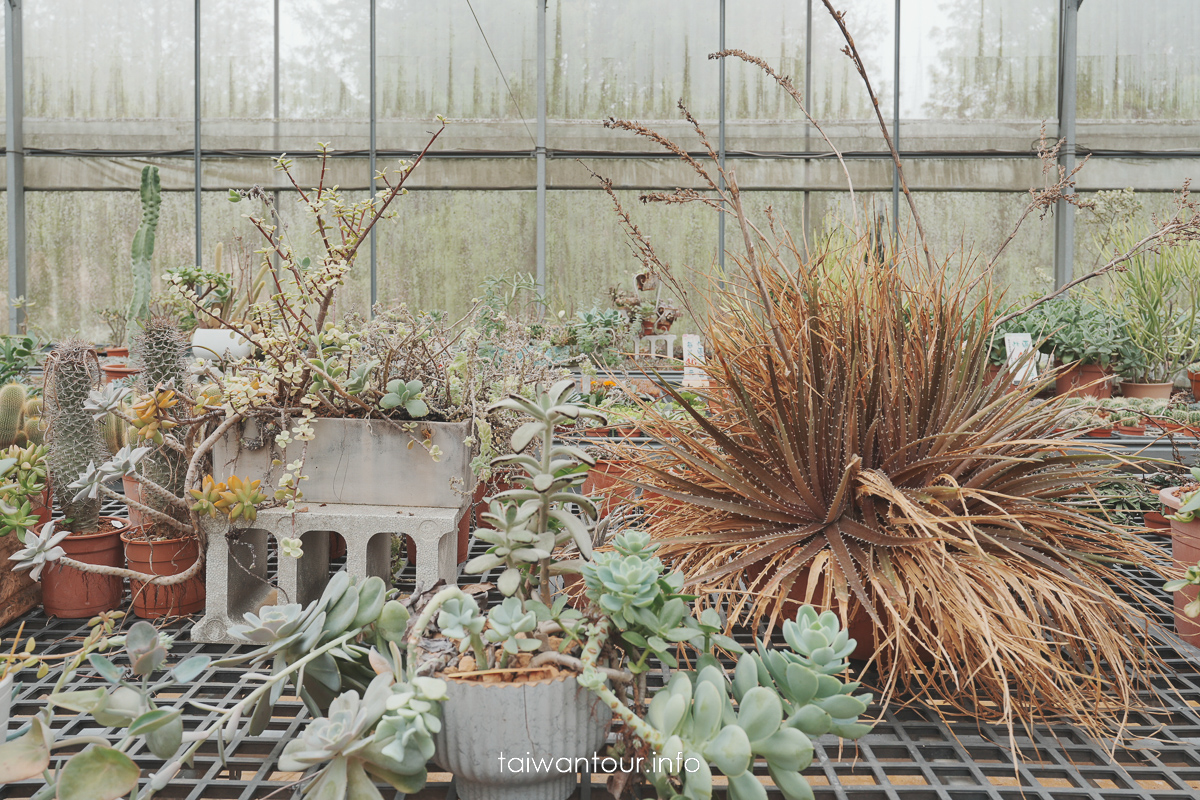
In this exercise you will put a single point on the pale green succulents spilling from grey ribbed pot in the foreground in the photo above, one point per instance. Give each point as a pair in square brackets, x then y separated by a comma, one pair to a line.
[392, 685]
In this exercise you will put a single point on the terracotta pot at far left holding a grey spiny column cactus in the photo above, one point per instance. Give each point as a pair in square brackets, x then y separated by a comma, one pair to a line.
[71, 594]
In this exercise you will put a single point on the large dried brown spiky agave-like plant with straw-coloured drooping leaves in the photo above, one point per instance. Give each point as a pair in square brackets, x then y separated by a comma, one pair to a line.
[856, 456]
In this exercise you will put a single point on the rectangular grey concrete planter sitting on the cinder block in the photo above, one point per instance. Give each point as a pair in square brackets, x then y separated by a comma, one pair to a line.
[363, 462]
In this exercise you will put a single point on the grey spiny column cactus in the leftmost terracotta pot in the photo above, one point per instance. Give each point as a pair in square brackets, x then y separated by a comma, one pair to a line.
[74, 436]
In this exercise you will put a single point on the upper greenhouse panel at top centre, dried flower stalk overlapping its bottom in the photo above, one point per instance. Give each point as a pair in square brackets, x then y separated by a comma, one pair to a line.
[631, 59]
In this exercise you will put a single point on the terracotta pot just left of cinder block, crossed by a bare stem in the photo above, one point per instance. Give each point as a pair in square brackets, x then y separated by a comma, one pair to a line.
[164, 557]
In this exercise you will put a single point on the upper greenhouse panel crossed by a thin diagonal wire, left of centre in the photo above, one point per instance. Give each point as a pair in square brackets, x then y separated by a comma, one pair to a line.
[434, 58]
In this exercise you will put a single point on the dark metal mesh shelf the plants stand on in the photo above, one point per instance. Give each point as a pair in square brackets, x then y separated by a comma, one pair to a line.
[910, 756]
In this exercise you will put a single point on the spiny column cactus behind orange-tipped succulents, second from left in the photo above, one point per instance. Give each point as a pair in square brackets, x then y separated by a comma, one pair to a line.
[161, 351]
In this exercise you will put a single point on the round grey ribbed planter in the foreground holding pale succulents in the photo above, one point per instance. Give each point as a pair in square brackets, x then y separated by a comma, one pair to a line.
[538, 730]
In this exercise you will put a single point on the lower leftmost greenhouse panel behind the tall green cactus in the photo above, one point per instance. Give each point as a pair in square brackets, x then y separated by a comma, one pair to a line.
[91, 234]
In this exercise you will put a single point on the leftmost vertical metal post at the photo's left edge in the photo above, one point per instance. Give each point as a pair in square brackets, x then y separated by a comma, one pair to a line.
[15, 161]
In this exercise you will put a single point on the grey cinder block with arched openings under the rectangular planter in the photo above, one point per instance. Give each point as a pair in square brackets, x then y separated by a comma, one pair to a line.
[237, 564]
